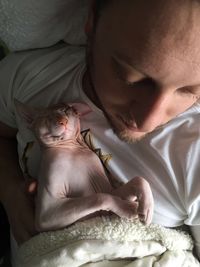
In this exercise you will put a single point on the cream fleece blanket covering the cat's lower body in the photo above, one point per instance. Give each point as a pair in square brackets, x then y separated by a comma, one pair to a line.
[109, 242]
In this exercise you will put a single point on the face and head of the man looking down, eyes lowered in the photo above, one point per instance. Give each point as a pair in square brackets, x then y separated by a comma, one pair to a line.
[145, 64]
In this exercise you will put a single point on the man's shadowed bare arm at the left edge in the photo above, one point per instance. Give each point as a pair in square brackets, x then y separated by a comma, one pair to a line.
[12, 193]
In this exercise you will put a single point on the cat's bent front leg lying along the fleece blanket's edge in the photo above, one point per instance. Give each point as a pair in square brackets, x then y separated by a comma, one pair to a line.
[54, 213]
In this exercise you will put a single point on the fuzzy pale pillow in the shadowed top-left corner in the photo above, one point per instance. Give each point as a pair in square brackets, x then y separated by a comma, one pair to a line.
[27, 24]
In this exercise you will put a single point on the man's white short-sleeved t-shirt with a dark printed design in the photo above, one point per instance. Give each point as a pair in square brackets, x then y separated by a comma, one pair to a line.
[168, 158]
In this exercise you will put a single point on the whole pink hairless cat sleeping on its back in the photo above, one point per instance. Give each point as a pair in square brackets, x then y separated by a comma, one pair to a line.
[72, 181]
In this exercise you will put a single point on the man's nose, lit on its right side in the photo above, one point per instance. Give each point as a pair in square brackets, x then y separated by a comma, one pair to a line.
[153, 111]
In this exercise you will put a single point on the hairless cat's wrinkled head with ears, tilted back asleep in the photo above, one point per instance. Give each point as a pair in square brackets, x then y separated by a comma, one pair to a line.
[55, 124]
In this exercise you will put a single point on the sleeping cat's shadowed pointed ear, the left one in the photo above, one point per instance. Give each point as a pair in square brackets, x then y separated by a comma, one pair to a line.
[26, 113]
